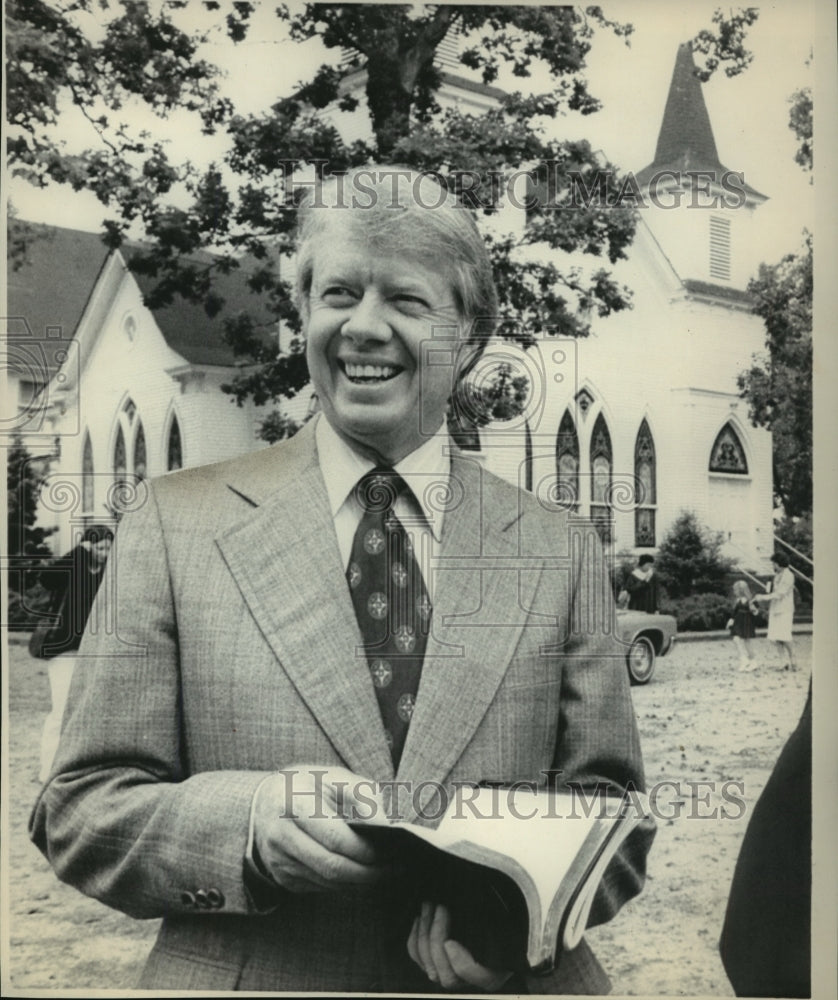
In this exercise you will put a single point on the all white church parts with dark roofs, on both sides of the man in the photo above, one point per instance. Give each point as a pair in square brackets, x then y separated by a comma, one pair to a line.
[630, 426]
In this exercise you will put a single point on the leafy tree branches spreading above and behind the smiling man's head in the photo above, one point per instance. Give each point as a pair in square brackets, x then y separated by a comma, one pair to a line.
[99, 57]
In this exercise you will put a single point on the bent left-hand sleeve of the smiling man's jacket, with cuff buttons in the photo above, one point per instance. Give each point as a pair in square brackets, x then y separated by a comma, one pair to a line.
[121, 817]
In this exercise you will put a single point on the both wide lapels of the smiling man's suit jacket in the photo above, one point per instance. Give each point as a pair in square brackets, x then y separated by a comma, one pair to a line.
[286, 562]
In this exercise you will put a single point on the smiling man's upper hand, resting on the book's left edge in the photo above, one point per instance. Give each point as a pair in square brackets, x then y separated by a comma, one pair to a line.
[300, 830]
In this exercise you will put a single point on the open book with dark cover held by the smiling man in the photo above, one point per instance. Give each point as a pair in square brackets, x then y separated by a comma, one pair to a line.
[517, 867]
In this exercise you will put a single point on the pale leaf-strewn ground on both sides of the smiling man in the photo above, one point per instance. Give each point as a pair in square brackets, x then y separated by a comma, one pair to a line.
[700, 720]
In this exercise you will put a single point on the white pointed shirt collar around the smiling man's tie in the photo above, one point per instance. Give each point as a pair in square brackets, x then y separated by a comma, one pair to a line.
[342, 468]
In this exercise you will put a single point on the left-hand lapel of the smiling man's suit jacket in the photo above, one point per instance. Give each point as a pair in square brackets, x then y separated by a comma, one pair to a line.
[285, 559]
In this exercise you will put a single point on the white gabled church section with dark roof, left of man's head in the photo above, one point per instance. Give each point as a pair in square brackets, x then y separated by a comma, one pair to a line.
[111, 392]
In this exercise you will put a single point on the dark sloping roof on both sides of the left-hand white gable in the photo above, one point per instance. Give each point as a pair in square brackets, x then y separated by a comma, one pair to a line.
[53, 285]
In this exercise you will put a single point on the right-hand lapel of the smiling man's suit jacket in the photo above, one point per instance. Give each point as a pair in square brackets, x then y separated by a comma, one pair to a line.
[477, 620]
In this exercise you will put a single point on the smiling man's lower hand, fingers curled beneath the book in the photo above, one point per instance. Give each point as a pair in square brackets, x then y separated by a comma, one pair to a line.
[445, 961]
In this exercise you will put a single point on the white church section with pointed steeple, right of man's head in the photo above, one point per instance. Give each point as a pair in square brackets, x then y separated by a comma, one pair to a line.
[642, 419]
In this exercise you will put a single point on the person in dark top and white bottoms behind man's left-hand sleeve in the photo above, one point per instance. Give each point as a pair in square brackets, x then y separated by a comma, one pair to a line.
[72, 583]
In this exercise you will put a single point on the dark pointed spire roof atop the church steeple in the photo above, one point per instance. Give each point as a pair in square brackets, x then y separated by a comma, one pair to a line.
[686, 140]
